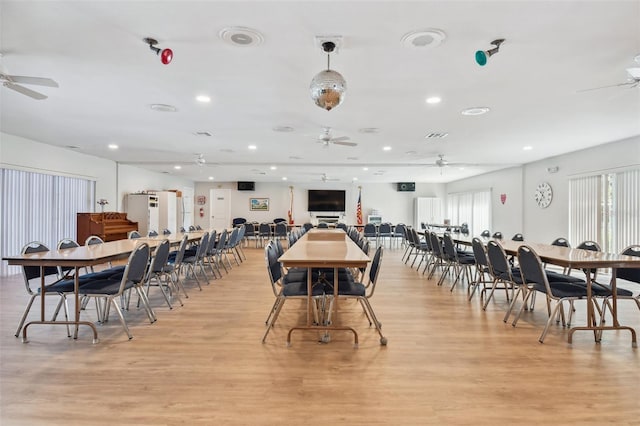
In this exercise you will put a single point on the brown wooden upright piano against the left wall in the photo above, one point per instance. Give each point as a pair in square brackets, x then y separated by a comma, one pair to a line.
[109, 226]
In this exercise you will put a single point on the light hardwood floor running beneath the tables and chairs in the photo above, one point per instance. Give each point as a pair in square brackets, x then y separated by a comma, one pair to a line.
[447, 362]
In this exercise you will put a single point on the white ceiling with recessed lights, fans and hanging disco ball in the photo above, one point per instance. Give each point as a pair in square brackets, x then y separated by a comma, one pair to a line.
[108, 78]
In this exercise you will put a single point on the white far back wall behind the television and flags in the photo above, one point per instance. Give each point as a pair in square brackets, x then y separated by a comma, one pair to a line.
[394, 206]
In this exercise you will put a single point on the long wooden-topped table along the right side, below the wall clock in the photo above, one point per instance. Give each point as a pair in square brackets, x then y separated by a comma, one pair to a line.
[574, 258]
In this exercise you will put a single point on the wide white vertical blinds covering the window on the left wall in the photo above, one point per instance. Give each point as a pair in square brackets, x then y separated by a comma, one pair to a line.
[39, 207]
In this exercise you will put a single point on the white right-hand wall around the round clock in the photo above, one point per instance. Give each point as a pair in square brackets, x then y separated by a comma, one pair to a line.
[520, 212]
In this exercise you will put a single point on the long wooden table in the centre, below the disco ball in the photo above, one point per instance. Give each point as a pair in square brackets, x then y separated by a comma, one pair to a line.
[324, 248]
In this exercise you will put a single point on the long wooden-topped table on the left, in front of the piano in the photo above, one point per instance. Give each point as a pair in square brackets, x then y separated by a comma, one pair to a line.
[82, 256]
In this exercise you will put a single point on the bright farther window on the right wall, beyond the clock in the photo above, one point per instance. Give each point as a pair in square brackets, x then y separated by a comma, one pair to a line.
[473, 208]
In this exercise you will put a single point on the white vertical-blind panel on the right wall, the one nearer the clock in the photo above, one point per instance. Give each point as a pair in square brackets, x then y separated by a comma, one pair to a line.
[586, 211]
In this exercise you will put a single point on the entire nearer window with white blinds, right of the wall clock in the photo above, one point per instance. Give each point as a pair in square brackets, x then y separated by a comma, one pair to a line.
[605, 208]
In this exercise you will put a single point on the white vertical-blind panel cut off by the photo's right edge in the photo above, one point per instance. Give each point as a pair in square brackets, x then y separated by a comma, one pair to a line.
[626, 210]
